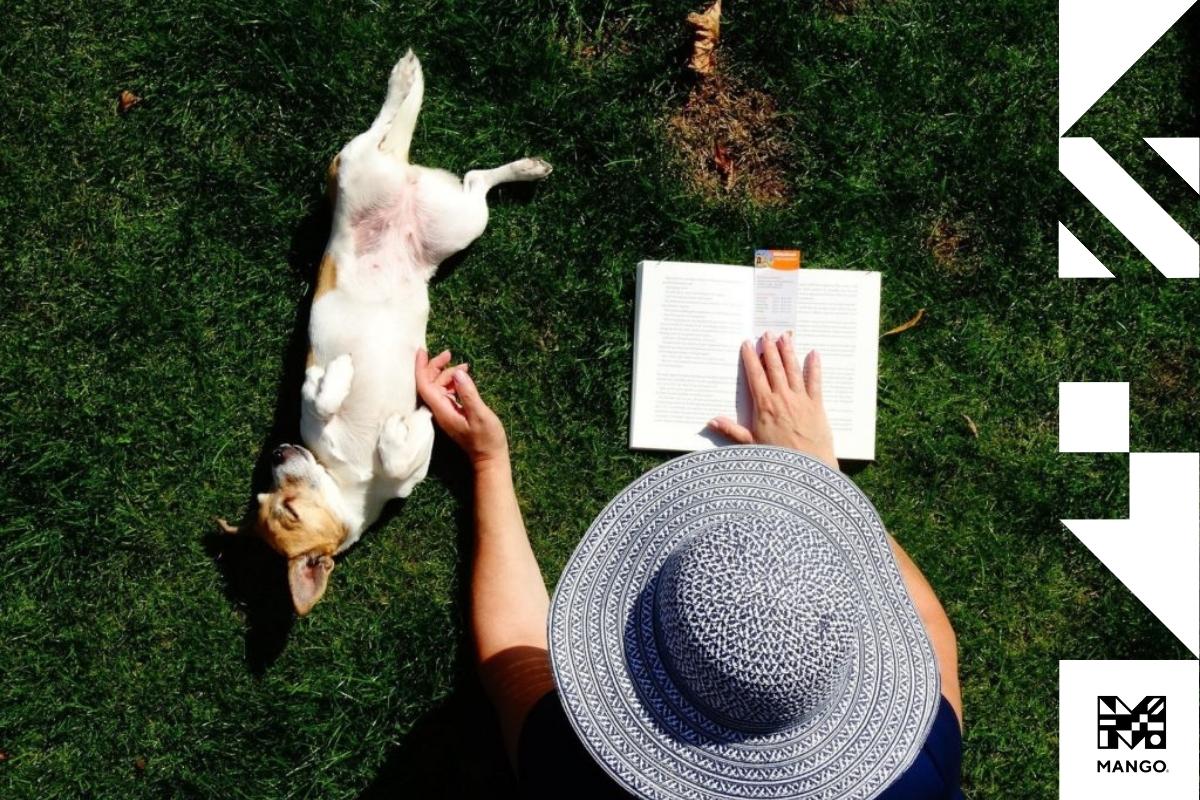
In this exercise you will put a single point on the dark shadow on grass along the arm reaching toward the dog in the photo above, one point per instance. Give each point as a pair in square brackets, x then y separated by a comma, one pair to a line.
[454, 750]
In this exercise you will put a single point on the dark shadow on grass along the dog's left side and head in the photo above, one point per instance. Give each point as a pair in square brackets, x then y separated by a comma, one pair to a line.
[255, 576]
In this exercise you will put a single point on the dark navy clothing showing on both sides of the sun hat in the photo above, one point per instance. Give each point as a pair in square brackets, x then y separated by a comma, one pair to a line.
[551, 757]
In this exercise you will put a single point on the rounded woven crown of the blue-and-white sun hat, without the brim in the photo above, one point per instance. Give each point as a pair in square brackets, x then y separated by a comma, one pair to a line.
[758, 622]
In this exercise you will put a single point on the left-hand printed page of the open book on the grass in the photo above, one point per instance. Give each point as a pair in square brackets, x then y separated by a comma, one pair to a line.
[692, 321]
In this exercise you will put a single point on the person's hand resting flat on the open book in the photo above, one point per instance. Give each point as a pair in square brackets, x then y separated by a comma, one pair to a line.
[789, 411]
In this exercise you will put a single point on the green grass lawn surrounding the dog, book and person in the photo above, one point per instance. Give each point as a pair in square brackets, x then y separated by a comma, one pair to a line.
[155, 266]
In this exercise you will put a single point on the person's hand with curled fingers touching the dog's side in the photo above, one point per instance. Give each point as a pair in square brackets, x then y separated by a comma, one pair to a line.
[458, 408]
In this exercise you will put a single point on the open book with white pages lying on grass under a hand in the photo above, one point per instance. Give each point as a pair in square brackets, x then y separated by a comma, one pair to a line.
[692, 321]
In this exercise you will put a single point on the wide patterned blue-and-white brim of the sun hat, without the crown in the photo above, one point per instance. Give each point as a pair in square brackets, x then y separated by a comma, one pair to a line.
[621, 700]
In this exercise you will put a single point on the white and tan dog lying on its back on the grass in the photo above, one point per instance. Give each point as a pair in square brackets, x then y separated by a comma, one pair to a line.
[367, 440]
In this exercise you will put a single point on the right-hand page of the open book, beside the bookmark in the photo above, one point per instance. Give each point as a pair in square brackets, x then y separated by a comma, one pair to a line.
[838, 315]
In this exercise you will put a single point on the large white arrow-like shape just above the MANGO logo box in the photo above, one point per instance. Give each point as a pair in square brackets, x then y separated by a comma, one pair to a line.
[1156, 552]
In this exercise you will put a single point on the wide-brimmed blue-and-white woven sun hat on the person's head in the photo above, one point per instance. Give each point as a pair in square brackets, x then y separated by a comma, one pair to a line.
[734, 625]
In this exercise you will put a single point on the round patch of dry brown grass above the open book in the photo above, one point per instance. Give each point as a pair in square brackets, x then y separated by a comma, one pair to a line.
[733, 142]
